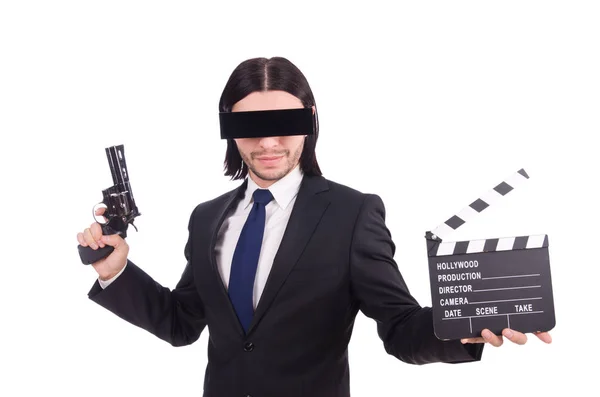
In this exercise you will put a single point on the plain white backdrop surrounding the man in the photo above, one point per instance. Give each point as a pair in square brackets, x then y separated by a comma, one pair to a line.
[428, 104]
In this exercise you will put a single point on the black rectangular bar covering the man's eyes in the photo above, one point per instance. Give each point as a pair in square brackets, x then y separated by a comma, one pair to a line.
[263, 123]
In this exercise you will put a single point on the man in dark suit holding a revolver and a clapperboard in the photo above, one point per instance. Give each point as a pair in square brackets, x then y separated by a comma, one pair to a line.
[280, 316]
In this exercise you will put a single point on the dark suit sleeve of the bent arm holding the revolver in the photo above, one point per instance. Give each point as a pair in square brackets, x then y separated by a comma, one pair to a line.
[176, 316]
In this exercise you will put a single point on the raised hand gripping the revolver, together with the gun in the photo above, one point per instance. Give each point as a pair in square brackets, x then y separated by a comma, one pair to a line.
[120, 211]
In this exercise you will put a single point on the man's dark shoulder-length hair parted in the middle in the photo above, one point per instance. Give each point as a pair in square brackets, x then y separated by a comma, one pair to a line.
[264, 74]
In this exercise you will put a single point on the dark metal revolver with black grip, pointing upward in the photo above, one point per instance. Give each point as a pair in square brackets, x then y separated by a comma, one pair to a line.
[121, 209]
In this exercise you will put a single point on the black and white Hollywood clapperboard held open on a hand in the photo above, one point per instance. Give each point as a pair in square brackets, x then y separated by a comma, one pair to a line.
[489, 283]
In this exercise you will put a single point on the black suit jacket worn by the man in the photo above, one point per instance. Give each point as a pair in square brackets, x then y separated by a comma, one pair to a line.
[336, 258]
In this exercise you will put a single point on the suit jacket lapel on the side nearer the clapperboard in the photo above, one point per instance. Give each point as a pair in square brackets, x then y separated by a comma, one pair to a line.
[306, 214]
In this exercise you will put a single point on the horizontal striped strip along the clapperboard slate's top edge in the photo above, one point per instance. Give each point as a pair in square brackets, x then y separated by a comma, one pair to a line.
[489, 245]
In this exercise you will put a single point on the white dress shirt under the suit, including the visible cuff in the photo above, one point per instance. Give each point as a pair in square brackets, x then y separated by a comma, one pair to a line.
[278, 212]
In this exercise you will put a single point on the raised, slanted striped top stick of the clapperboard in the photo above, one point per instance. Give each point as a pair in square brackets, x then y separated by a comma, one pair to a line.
[489, 198]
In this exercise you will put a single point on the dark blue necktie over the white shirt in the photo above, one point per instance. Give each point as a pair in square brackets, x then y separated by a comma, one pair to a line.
[245, 258]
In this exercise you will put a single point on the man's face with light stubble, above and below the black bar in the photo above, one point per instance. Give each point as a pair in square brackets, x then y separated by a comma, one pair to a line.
[270, 158]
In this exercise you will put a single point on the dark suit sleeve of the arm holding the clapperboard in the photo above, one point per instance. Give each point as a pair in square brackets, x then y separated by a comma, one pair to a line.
[405, 327]
